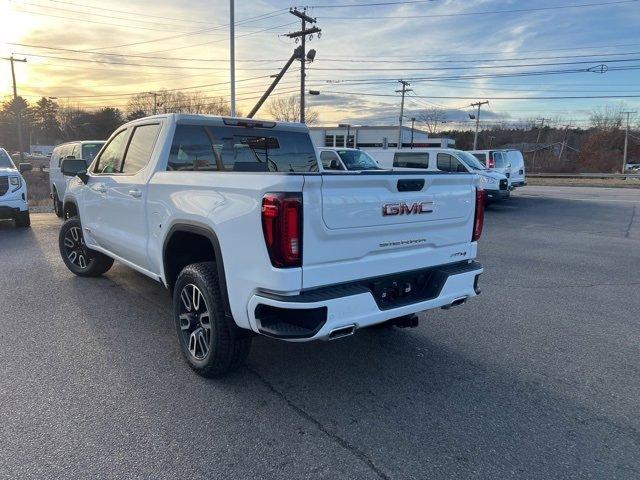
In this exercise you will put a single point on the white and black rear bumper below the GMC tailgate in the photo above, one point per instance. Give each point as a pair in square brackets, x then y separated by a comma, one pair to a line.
[315, 314]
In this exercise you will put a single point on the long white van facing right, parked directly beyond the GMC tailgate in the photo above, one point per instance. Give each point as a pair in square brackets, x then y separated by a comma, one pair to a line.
[495, 184]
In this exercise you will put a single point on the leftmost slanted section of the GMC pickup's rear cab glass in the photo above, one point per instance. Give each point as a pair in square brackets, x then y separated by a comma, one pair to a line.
[191, 149]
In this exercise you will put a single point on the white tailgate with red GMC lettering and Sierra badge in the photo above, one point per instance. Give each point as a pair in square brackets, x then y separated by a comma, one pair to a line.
[363, 225]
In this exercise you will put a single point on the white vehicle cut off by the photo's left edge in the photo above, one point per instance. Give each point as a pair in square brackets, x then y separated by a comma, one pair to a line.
[13, 191]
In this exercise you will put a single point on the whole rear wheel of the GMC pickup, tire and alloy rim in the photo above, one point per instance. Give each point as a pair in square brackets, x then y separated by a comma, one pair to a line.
[212, 344]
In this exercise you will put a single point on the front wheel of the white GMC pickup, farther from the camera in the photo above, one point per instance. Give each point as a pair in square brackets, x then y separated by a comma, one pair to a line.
[81, 260]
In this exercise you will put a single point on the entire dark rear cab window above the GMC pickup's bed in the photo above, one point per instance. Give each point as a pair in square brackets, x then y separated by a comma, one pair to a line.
[241, 149]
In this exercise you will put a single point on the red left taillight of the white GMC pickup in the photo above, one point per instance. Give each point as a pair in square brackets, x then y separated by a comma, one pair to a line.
[282, 228]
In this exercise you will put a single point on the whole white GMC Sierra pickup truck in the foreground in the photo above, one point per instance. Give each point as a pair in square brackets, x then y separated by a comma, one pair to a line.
[235, 219]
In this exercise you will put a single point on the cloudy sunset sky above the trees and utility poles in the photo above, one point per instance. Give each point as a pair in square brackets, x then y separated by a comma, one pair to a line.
[93, 53]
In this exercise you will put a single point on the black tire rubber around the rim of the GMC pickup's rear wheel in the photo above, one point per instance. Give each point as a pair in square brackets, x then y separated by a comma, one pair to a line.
[228, 345]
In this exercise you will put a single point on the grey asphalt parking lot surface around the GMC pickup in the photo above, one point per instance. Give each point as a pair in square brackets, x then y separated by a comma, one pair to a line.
[539, 377]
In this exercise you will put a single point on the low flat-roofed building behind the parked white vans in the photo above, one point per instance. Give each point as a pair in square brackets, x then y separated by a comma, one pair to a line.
[366, 137]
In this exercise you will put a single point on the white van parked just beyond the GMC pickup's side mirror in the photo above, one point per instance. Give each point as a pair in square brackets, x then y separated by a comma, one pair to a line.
[84, 150]
